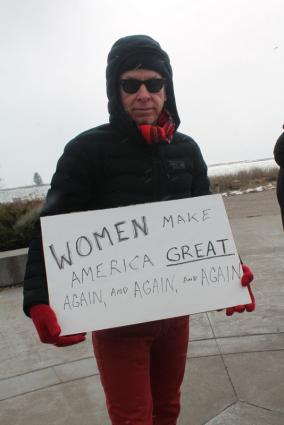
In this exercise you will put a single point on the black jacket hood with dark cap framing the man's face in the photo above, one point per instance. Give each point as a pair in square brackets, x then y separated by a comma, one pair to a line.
[136, 51]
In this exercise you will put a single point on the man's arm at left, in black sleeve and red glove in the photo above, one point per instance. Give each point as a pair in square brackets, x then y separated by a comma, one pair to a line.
[70, 191]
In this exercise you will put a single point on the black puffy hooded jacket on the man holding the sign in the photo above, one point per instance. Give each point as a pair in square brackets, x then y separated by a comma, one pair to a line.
[112, 165]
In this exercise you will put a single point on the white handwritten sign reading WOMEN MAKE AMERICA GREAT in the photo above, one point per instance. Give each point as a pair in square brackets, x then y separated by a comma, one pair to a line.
[140, 263]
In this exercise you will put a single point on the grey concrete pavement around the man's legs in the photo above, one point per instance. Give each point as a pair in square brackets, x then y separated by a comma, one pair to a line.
[235, 366]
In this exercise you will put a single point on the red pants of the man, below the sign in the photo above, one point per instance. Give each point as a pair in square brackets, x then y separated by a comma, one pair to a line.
[141, 368]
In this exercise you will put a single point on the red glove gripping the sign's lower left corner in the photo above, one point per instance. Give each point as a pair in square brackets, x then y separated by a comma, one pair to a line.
[48, 329]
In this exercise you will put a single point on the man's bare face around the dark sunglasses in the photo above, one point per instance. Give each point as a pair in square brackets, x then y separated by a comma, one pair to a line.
[143, 106]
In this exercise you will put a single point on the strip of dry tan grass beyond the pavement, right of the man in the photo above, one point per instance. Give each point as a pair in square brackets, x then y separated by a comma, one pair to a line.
[243, 180]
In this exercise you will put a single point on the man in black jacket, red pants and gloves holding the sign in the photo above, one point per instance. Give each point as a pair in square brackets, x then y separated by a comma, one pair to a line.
[138, 157]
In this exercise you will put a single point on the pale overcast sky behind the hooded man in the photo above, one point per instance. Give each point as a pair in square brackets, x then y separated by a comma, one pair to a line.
[227, 57]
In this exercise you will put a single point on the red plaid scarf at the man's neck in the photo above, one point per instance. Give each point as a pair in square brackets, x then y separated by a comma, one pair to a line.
[162, 132]
